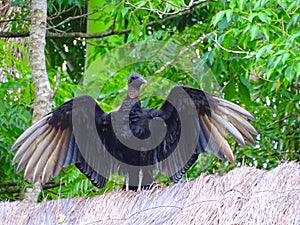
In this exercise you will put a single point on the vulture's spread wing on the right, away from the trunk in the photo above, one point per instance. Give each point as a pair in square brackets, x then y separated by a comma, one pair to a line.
[198, 122]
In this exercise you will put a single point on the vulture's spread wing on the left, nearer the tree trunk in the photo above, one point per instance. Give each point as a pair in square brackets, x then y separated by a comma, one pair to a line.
[63, 137]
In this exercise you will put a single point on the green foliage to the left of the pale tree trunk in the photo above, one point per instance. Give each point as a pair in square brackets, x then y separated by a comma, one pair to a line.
[15, 113]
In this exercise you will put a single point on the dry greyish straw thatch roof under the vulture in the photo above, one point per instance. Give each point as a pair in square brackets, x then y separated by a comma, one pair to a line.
[243, 196]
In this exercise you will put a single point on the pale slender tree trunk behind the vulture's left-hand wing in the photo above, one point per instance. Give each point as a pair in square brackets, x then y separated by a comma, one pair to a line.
[42, 91]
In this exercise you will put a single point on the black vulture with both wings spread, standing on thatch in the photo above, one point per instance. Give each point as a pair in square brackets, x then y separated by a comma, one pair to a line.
[131, 140]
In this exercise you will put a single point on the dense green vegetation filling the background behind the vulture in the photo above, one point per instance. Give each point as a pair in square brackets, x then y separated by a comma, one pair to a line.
[247, 51]
